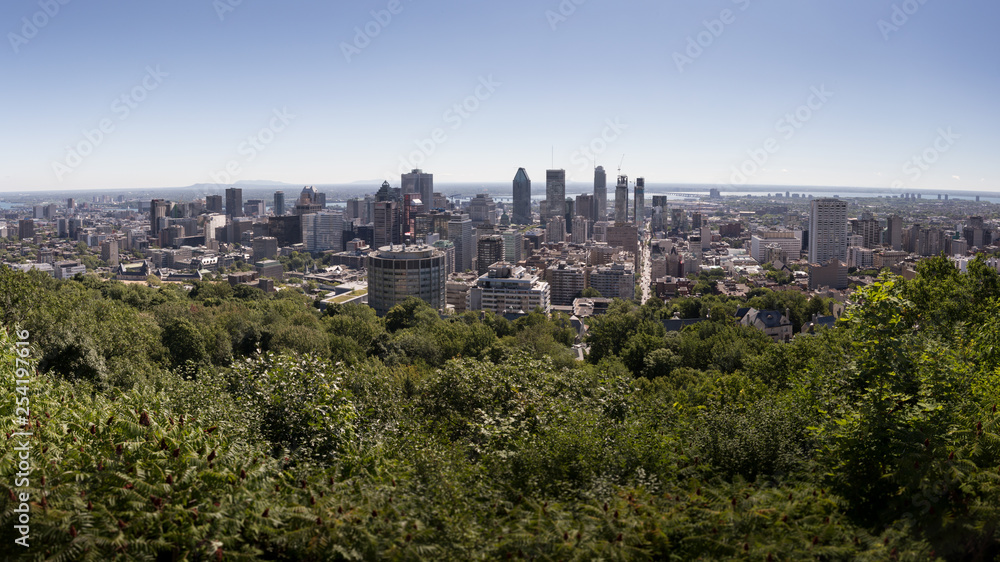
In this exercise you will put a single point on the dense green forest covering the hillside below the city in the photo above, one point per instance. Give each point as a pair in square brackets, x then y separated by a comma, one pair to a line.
[224, 423]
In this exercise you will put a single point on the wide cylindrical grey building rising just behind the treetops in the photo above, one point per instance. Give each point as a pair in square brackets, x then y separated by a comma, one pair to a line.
[395, 274]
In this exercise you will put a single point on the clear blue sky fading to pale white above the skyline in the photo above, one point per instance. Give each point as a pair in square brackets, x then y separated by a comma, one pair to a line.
[160, 93]
